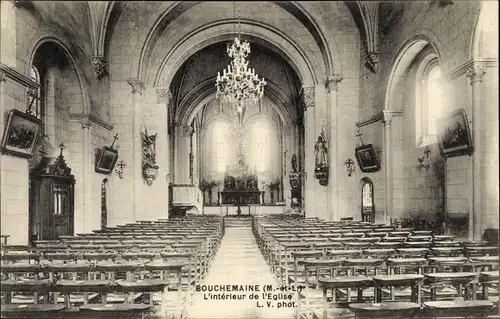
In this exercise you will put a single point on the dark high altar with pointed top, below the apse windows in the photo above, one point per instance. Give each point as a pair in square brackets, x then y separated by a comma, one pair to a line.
[240, 188]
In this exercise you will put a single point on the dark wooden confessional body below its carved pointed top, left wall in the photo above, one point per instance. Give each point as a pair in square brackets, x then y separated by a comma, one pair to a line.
[51, 207]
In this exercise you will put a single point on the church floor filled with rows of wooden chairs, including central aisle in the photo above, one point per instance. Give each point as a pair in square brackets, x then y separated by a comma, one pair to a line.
[317, 269]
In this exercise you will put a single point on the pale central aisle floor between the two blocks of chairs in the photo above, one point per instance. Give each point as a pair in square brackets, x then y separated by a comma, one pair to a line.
[238, 262]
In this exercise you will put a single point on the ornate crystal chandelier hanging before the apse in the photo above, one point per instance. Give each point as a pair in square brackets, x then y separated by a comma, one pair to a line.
[239, 83]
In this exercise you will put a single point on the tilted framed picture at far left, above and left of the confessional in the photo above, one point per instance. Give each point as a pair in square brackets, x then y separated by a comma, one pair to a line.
[20, 134]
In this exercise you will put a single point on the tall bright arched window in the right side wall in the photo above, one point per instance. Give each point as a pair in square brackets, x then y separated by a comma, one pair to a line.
[430, 101]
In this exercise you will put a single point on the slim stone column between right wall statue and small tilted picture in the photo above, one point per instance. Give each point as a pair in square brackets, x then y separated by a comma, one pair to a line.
[332, 89]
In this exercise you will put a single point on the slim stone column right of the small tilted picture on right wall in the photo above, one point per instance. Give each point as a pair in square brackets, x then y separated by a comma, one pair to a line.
[388, 211]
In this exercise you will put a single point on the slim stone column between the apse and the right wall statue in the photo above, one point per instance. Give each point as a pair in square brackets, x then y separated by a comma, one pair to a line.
[309, 119]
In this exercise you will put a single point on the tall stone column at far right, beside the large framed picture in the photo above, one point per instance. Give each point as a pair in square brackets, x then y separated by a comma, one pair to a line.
[475, 75]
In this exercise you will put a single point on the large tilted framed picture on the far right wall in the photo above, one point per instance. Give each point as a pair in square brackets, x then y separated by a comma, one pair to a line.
[454, 136]
